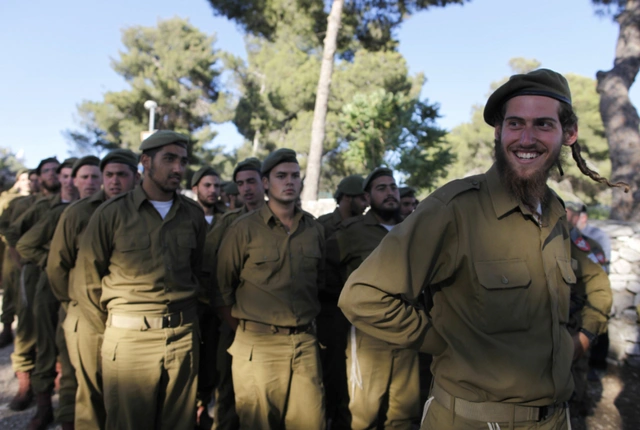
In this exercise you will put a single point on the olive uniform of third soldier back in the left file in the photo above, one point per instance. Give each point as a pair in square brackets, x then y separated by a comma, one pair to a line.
[33, 247]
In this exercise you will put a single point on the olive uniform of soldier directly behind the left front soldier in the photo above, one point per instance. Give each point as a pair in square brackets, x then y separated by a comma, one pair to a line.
[81, 338]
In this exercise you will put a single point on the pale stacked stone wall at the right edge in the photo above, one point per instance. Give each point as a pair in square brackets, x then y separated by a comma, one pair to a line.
[624, 330]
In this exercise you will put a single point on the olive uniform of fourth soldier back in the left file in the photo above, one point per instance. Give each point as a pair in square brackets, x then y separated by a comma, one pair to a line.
[31, 210]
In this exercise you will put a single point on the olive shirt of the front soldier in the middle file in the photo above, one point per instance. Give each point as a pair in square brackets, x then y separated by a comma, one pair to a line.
[269, 275]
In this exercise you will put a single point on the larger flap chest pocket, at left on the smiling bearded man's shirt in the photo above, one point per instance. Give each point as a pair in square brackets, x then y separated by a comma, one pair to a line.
[503, 295]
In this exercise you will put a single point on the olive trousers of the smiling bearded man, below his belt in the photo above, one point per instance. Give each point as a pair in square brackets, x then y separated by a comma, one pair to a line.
[437, 417]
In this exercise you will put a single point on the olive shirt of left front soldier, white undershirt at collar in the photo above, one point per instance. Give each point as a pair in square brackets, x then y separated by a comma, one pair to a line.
[136, 262]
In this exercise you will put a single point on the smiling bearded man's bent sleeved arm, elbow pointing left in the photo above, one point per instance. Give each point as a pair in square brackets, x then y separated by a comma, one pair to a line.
[383, 297]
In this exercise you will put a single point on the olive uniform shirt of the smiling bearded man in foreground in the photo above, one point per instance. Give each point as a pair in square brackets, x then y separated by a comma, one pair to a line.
[499, 285]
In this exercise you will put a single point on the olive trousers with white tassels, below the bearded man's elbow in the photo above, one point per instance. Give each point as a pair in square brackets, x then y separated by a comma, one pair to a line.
[384, 383]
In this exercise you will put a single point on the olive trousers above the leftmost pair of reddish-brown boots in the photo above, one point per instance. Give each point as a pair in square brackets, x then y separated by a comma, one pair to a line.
[23, 358]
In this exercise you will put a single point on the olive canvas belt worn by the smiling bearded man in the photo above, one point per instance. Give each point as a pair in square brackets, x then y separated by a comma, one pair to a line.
[492, 411]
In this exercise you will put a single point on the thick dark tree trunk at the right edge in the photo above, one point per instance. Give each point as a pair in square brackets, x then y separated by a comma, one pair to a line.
[620, 117]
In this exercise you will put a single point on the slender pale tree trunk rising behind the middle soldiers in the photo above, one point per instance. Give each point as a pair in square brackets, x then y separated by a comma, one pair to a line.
[314, 161]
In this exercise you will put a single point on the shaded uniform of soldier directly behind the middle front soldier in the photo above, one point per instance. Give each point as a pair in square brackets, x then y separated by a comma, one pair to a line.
[225, 416]
